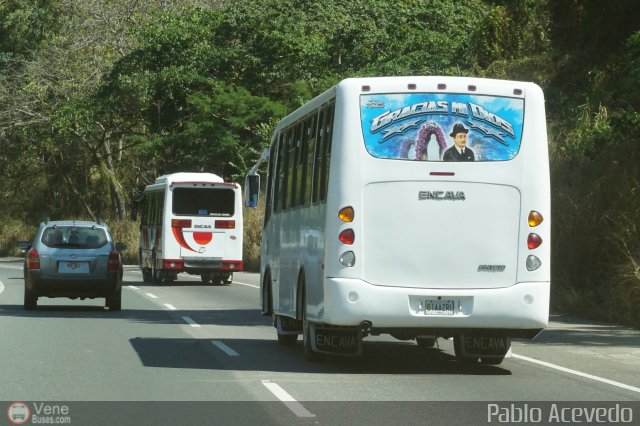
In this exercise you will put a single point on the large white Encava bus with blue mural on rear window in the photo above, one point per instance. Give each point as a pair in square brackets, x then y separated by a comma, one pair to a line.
[412, 206]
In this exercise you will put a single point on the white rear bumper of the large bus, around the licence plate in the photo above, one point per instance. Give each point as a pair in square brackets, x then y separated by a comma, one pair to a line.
[521, 310]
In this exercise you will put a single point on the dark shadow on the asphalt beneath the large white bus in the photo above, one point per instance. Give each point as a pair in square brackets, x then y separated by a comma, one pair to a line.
[267, 355]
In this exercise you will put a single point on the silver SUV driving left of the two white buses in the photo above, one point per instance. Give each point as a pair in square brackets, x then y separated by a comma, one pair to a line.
[75, 259]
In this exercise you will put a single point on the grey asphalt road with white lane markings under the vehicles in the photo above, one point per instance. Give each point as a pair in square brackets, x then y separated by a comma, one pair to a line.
[191, 354]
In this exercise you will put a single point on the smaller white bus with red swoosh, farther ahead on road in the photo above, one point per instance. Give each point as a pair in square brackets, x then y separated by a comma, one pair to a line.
[190, 222]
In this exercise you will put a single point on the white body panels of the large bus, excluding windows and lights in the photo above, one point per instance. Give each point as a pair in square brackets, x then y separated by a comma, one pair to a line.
[408, 249]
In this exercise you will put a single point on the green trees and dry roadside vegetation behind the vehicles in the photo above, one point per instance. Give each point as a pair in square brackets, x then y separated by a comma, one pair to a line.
[98, 98]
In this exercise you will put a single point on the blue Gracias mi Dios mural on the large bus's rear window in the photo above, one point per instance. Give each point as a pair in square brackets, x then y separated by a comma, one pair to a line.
[442, 127]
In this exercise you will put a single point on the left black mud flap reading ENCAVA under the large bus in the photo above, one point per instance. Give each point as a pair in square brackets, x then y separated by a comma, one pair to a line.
[344, 341]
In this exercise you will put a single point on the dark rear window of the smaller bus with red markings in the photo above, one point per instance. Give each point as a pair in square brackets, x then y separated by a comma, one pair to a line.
[203, 202]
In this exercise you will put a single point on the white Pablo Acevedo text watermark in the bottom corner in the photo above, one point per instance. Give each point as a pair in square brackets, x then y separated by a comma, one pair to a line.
[551, 413]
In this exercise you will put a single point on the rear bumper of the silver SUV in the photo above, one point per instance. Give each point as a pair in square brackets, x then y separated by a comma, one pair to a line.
[70, 286]
